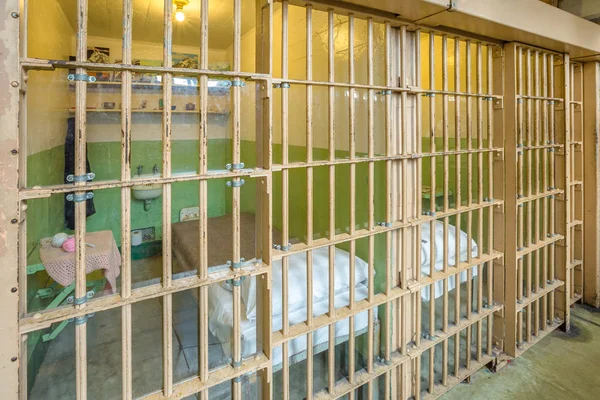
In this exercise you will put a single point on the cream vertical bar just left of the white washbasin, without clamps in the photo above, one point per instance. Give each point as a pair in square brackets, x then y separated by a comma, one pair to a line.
[126, 317]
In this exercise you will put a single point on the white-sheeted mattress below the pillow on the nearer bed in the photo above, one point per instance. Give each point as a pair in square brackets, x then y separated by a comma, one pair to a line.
[220, 317]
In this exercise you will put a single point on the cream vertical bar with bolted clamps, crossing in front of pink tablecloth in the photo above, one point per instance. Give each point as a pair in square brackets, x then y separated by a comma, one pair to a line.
[80, 207]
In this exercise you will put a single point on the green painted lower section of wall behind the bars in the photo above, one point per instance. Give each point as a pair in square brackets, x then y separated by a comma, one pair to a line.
[105, 161]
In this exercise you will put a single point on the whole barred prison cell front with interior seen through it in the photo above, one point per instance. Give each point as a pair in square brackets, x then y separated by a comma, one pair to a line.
[339, 204]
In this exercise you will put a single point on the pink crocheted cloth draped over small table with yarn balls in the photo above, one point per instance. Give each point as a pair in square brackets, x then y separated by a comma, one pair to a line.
[60, 265]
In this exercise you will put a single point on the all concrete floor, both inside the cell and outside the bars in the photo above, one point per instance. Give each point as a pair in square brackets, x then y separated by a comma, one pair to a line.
[561, 366]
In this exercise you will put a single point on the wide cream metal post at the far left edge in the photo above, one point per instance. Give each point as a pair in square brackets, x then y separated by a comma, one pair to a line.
[13, 344]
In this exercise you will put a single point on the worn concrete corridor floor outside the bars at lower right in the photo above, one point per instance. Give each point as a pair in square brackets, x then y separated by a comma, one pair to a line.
[561, 366]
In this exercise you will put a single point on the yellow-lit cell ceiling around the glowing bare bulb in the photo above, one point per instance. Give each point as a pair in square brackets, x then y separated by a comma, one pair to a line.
[105, 20]
